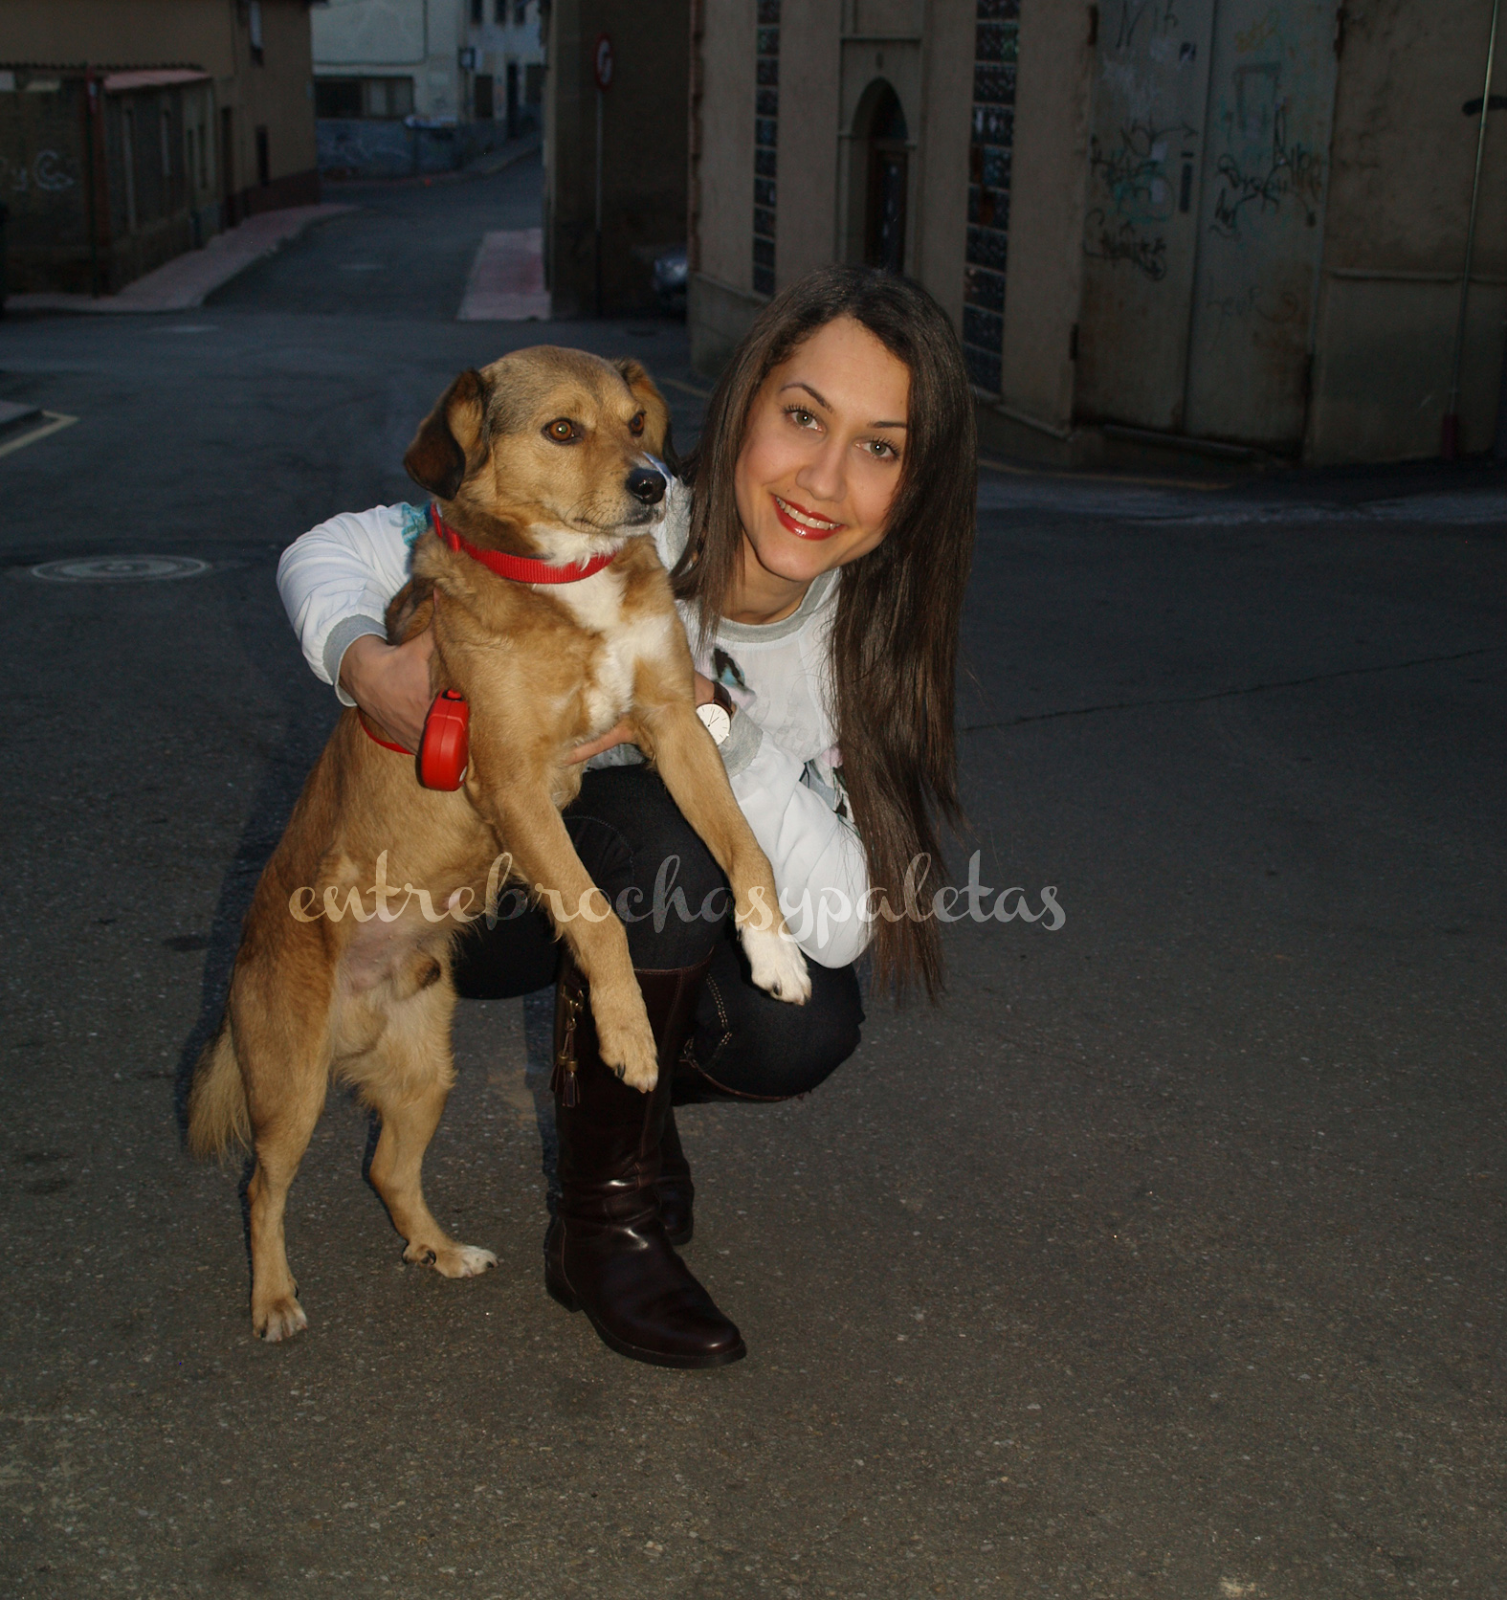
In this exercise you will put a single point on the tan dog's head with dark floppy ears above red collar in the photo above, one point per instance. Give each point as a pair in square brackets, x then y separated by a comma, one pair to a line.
[551, 446]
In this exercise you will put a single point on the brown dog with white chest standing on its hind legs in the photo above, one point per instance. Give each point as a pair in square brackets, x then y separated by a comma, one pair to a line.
[542, 455]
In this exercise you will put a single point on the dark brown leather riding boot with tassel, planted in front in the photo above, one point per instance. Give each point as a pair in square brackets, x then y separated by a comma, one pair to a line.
[607, 1252]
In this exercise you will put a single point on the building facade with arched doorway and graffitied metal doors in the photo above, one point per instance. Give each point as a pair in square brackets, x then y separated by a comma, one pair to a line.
[1213, 225]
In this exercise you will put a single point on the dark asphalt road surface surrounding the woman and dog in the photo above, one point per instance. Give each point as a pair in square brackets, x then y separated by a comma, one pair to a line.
[1164, 1260]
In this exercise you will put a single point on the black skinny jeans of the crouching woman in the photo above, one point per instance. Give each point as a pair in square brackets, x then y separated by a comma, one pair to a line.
[652, 865]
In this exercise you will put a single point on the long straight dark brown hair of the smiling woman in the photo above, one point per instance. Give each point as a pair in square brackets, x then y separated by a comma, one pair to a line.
[897, 633]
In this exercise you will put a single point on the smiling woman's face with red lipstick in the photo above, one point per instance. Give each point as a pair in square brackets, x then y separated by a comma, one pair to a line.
[821, 458]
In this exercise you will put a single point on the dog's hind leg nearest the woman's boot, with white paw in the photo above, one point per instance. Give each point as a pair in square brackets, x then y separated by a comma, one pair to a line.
[407, 1078]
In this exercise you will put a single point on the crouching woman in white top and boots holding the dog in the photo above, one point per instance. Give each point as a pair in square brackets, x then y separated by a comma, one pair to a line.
[841, 441]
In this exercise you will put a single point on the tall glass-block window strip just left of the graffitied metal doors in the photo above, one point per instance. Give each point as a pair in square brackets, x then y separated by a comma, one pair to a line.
[989, 153]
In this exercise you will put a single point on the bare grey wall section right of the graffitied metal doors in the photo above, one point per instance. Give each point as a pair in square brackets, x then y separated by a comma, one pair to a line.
[1396, 236]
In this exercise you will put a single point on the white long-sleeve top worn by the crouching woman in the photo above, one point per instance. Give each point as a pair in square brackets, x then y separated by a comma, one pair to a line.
[786, 774]
